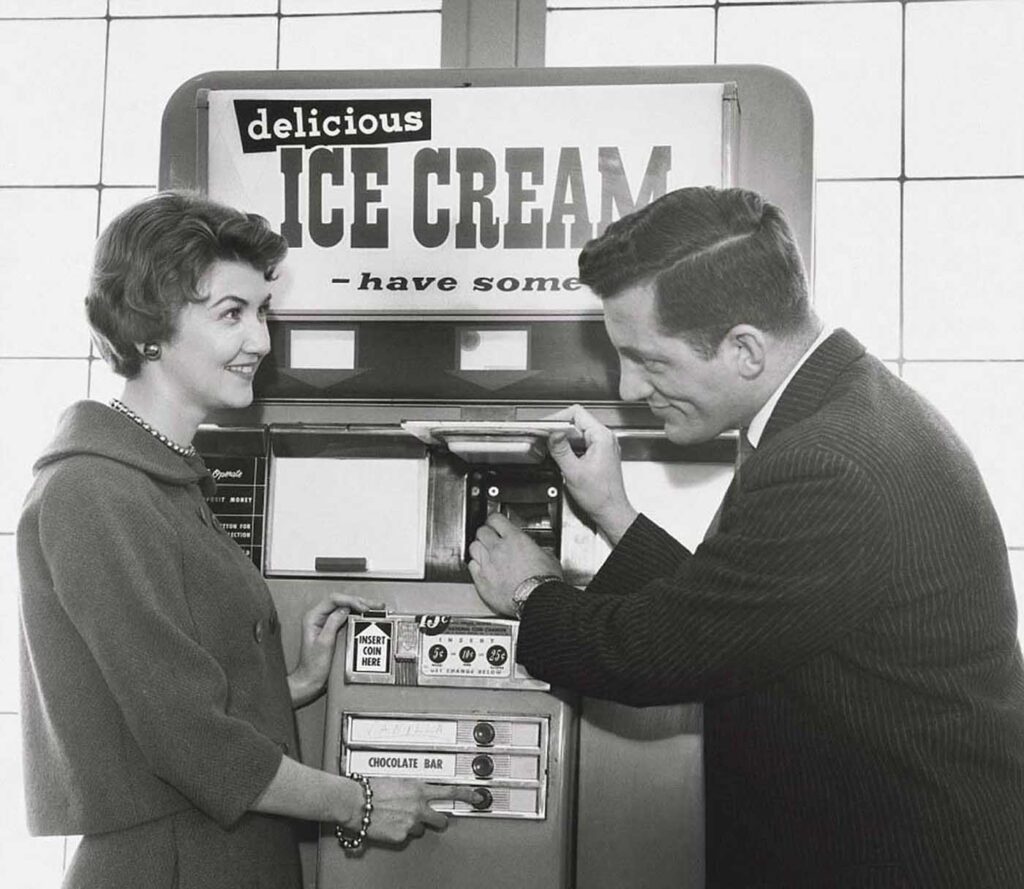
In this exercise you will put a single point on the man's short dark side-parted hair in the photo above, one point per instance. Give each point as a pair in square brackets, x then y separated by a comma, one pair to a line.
[716, 258]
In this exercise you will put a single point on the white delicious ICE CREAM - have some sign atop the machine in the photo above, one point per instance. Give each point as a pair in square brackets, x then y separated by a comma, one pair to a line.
[440, 199]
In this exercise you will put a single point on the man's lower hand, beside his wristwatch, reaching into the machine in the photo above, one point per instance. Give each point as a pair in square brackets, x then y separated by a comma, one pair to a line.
[503, 557]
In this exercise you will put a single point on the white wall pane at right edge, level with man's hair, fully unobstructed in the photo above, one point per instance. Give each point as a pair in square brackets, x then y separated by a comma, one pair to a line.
[963, 270]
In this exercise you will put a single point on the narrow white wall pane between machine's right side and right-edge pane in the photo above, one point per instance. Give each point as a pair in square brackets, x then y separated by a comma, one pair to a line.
[857, 255]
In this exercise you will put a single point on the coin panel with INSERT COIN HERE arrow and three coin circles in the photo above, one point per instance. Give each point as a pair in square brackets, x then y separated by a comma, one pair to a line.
[435, 650]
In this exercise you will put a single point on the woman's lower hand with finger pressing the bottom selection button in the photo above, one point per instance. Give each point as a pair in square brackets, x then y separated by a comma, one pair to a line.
[402, 809]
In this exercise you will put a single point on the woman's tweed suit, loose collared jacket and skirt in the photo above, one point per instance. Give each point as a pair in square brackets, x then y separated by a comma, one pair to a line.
[155, 702]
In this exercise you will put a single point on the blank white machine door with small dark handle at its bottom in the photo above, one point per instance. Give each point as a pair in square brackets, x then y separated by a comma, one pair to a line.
[365, 509]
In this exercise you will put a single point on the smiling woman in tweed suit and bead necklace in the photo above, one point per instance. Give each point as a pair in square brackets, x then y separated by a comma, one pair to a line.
[156, 708]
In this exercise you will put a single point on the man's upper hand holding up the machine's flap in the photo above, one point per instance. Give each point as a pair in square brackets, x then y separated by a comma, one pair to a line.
[594, 479]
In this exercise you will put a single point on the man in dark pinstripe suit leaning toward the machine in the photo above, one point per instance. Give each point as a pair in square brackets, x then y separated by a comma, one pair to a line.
[848, 623]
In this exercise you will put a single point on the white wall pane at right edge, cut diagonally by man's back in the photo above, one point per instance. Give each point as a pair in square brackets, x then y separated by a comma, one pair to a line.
[983, 402]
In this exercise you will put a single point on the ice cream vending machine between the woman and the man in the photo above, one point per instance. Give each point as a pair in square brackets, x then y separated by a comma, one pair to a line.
[426, 326]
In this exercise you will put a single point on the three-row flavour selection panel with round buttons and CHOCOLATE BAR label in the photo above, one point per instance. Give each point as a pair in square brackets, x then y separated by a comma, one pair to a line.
[502, 756]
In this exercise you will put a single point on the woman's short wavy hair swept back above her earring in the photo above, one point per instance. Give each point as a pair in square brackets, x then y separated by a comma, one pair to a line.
[149, 264]
